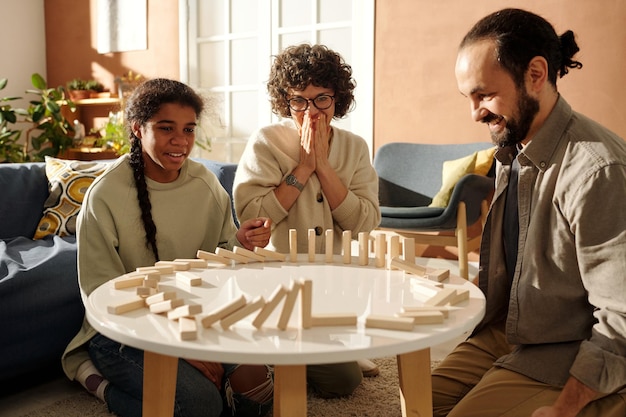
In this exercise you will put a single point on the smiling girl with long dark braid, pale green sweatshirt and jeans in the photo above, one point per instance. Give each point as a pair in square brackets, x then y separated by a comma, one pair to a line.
[150, 205]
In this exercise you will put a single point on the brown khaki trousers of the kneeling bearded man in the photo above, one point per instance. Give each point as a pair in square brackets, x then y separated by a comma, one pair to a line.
[467, 385]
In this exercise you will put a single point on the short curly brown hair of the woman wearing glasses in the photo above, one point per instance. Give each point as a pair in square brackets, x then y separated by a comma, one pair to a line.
[299, 66]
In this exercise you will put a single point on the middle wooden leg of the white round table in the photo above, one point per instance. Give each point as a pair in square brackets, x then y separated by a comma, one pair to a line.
[289, 390]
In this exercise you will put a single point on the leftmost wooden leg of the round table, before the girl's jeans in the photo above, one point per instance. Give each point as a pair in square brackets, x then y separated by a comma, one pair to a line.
[159, 384]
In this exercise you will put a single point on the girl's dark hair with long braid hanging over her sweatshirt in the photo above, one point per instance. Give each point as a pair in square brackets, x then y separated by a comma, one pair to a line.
[141, 106]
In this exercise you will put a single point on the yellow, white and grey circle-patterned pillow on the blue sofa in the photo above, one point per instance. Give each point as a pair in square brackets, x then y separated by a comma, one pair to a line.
[69, 181]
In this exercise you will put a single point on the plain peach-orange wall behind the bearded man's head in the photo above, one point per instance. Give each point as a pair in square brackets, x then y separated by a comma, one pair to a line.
[416, 97]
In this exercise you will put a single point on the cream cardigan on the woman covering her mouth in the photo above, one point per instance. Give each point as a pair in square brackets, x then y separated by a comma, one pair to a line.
[272, 153]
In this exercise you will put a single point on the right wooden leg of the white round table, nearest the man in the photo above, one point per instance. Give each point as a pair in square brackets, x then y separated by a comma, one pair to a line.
[415, 385]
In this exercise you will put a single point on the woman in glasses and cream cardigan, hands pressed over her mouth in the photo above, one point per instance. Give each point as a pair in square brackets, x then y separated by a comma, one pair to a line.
[304, 173]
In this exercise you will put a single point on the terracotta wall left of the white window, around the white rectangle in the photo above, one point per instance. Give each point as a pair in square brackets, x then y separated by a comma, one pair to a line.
[71, 45]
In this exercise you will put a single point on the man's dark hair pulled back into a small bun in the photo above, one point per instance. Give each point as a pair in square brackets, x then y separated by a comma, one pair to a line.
[520, 36]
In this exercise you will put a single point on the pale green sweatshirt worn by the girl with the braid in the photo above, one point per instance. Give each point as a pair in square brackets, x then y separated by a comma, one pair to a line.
[191, 213]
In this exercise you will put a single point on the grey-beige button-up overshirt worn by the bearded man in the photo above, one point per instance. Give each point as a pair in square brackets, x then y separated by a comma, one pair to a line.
[565, 310]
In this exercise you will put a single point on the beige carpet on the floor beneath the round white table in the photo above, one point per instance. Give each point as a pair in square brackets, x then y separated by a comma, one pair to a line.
[375, 397]
